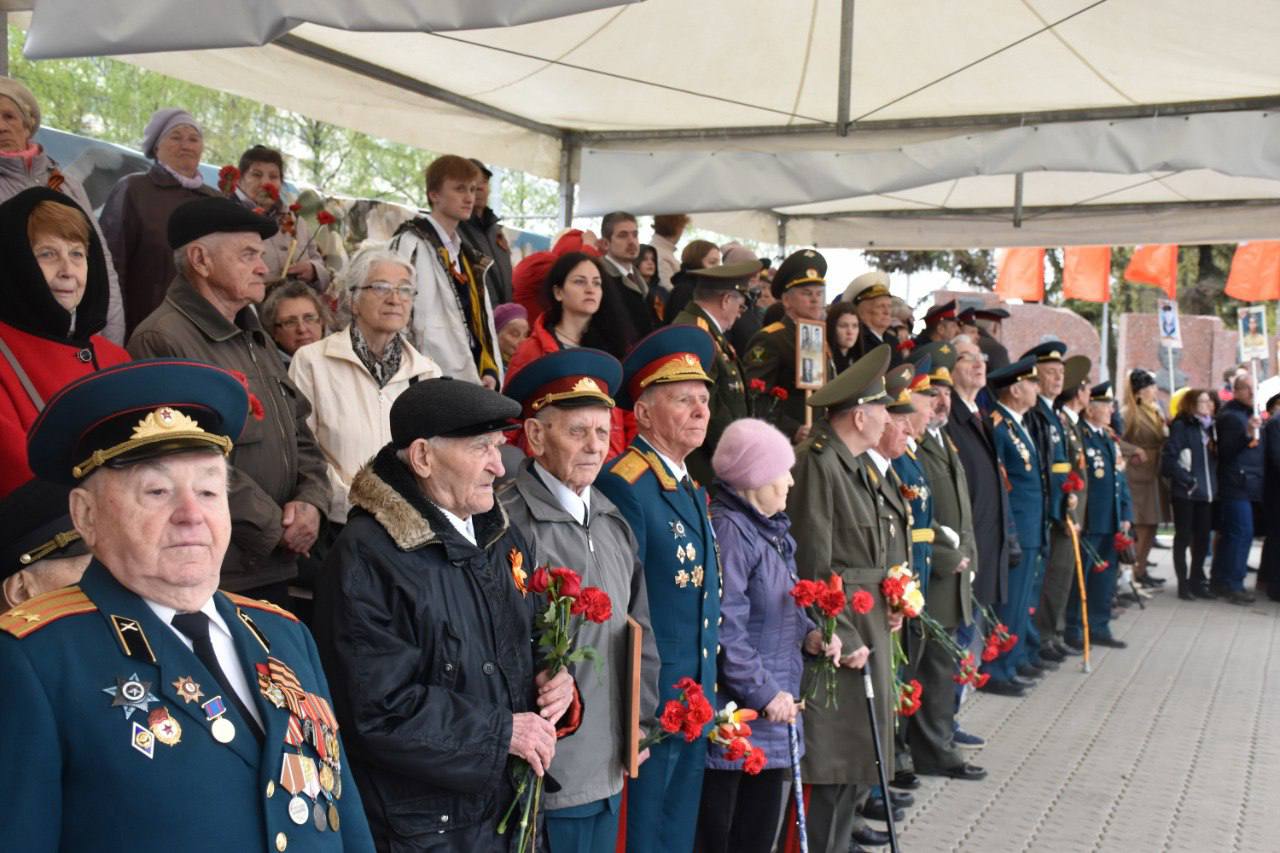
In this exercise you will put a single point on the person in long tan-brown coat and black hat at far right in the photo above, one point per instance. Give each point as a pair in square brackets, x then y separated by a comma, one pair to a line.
[1146, 430]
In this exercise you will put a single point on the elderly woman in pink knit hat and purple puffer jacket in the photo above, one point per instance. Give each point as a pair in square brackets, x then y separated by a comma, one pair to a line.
[762, 636]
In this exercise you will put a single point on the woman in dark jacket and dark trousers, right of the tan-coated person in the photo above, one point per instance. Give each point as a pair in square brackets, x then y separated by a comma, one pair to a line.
[1190, 463]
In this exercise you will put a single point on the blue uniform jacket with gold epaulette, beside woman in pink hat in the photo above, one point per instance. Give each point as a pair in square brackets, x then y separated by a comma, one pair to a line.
[678, 548]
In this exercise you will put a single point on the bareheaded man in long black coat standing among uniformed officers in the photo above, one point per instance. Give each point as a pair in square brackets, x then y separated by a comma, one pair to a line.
[988, 491]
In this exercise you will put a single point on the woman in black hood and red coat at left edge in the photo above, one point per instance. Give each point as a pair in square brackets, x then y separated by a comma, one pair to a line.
[54, 308]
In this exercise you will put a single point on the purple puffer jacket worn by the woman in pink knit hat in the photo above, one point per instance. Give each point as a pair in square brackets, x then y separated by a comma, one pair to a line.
[762, 631]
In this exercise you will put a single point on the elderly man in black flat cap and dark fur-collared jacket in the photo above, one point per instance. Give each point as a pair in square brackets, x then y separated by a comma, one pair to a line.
[426, 623]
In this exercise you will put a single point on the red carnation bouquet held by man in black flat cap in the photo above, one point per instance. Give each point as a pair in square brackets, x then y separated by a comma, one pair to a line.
[569, 605]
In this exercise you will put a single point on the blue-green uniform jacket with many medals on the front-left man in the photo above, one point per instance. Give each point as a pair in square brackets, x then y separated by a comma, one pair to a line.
[86, 773]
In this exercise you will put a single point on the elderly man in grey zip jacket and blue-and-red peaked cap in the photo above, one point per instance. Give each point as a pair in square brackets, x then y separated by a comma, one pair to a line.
[568, 400]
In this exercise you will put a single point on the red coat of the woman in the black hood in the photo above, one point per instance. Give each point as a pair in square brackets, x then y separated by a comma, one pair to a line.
[51, 366]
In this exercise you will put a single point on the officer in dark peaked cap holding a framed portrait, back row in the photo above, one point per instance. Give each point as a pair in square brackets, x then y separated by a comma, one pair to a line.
[771, 357]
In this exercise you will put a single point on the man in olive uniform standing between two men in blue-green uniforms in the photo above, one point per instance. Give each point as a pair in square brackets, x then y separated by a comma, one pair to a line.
[1069, 399]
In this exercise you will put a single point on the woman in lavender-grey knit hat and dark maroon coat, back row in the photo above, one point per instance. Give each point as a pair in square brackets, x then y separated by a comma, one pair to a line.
[136, 215]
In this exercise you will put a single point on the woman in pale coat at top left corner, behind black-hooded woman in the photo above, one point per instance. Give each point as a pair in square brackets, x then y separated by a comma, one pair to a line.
[25, 165]
